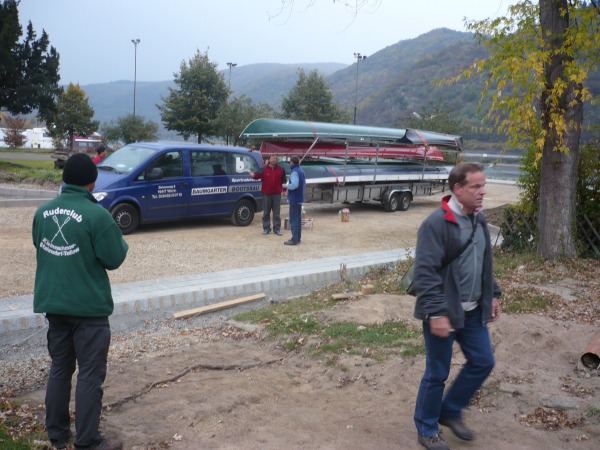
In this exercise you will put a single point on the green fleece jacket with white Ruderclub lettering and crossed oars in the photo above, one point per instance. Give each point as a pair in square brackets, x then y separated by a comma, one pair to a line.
[76, 242]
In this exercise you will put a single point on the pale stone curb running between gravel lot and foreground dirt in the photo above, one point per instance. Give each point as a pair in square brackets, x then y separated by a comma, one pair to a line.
[186, 292]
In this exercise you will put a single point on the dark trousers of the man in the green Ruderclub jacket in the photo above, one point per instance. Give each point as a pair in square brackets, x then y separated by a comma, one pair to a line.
[85, 341]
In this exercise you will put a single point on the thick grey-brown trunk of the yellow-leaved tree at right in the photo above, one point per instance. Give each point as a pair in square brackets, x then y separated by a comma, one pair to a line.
[559, 168]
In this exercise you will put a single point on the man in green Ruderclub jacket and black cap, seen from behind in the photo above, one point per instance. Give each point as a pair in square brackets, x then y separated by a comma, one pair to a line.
[76, 242]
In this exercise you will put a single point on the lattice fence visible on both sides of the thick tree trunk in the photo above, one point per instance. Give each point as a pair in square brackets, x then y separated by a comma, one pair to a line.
[519, 232]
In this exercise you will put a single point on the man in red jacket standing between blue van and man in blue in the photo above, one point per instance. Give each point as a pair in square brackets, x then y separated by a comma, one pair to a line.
[272, 177]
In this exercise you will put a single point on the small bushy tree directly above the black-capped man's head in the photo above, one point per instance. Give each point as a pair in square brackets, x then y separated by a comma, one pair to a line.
[73, 115]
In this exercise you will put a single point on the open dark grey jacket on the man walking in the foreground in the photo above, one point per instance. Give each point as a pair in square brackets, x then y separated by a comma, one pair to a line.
[438, 284]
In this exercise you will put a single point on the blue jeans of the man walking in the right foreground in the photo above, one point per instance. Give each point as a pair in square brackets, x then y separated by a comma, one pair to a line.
[474, 341]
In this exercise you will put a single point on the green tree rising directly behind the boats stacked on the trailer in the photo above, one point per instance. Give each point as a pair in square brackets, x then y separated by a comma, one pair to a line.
[311, 99]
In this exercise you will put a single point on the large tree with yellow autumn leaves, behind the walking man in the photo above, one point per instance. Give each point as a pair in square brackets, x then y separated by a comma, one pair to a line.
[541, 54]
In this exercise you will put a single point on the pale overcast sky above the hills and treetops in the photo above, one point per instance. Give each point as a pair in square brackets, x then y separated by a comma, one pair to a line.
[93, 37]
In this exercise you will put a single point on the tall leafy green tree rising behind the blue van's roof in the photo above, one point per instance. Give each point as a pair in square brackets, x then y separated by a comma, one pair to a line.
[194, 106]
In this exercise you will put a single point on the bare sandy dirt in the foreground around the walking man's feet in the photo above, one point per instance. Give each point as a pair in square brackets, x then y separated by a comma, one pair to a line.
[223, 388]
